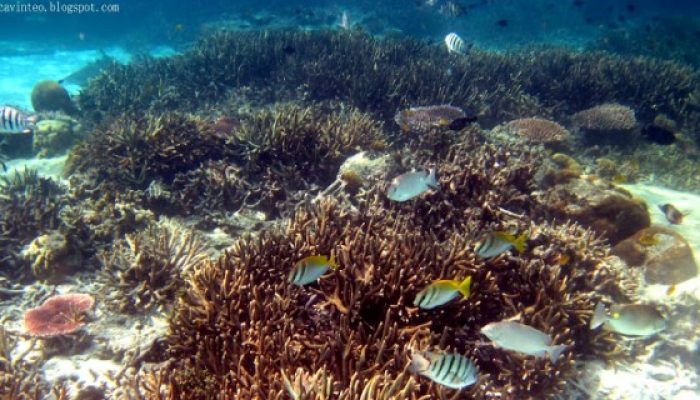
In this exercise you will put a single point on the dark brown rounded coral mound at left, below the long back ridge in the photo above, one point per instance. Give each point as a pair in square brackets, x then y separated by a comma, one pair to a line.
[131, 151]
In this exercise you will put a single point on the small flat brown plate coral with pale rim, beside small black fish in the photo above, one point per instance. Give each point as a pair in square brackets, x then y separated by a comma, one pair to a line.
[423, 119]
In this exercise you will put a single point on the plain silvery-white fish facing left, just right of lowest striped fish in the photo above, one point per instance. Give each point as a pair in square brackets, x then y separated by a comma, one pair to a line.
[521, 338]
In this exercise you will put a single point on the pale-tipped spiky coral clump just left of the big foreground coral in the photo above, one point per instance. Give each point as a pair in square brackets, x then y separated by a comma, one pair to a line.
[146, 269]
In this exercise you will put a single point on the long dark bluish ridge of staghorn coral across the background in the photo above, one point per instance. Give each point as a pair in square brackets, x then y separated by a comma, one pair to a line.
[384, 75]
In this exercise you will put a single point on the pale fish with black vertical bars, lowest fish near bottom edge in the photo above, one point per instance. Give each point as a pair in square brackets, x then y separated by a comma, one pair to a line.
[449, 369]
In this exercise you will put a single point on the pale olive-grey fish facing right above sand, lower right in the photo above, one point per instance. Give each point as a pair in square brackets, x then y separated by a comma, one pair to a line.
[629, 319]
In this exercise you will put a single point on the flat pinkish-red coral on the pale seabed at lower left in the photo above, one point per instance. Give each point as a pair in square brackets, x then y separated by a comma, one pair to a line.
[59, 315]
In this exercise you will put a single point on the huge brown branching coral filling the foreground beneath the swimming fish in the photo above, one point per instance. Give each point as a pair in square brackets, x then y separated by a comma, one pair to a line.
[242, 330]
